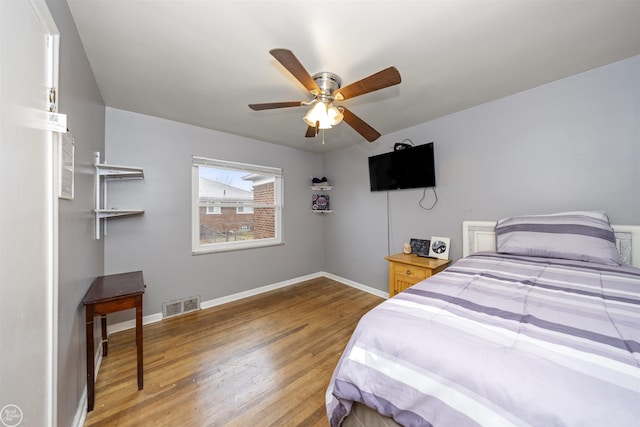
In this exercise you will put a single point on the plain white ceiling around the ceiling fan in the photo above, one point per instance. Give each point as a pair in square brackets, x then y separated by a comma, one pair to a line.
[202, 62]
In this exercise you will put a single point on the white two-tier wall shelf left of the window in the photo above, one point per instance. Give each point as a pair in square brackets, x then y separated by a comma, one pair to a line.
[104, 174]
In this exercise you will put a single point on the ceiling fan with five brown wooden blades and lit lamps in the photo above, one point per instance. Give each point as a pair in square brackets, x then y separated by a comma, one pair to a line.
[326, 88]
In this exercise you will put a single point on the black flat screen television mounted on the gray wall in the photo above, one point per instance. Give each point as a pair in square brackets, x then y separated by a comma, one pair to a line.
[407, 168]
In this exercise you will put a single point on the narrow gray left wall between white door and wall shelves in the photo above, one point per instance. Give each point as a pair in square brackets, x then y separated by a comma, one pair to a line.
[81, 257]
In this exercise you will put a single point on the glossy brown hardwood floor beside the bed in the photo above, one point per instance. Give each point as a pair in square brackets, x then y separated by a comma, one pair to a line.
[265, 360]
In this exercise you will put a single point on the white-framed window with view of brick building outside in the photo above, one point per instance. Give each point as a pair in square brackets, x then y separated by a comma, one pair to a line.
[235, 205]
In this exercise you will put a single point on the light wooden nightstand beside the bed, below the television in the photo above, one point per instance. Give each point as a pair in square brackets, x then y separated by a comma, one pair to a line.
[407, 270]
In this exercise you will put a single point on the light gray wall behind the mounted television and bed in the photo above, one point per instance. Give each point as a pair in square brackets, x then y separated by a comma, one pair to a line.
[572, 144]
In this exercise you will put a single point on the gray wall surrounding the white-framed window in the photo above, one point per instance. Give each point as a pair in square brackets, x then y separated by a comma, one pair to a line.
[159, 242]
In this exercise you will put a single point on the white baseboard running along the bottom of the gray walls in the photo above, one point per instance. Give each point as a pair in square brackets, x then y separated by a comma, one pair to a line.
[81, 413]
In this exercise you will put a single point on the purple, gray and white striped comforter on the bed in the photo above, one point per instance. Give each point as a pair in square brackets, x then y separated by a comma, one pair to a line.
[500, 340]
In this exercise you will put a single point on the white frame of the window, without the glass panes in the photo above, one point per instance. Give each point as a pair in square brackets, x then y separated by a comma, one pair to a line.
[197, 247]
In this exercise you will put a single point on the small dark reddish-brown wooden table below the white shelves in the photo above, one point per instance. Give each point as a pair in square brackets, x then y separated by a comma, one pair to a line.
[109, 294]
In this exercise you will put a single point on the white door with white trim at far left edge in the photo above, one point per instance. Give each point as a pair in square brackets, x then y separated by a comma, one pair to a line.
[28, 215]
